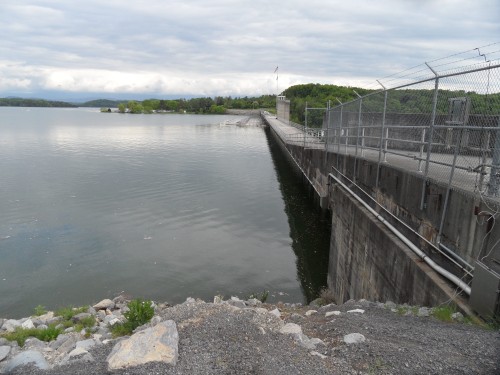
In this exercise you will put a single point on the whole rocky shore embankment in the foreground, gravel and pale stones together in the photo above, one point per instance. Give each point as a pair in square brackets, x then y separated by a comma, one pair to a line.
[248, 337]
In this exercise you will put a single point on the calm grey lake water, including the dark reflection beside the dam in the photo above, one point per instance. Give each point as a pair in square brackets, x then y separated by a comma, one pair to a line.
[156, 206]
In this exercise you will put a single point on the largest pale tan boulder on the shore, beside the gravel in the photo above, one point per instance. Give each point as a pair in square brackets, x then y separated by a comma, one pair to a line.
[158, 344]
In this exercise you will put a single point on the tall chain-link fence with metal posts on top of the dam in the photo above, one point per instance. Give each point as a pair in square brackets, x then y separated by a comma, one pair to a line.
[446, 128]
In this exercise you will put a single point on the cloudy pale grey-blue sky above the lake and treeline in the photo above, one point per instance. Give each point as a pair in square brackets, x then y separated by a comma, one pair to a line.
[92, 49]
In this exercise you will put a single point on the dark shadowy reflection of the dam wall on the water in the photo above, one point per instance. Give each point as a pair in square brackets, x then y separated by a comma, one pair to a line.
[310, 227]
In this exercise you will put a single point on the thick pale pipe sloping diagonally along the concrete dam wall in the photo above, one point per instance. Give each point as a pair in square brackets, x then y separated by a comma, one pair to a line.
[455, 280]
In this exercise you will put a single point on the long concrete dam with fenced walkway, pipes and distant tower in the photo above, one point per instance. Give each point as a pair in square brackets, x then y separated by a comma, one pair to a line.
[414, 197]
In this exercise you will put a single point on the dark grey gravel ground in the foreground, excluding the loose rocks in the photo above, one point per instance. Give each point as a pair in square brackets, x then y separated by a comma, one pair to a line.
[221, 339]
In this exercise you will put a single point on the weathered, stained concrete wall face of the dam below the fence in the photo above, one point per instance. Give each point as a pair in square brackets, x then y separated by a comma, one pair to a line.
[367, 261]
